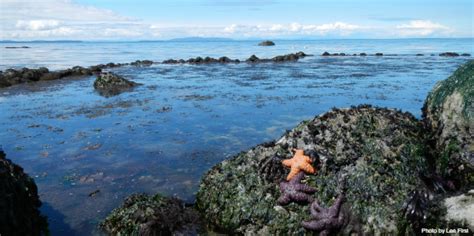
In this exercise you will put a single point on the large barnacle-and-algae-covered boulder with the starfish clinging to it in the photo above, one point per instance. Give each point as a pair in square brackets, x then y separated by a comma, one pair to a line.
[376, 153]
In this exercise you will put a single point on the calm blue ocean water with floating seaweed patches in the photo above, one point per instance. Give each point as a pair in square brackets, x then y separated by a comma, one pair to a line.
[164, 135]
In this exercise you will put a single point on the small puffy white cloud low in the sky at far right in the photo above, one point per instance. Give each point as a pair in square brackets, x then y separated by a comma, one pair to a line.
[422, 28]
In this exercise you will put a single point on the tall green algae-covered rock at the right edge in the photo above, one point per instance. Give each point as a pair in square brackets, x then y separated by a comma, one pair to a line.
[448, 115]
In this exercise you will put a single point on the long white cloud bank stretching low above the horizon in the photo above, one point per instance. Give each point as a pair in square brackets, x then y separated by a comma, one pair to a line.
[65, 19]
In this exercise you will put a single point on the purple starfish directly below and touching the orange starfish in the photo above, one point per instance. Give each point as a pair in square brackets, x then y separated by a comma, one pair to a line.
[294, 190]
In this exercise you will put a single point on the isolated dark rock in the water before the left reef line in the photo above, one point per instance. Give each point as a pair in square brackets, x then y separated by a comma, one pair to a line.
[110, 84]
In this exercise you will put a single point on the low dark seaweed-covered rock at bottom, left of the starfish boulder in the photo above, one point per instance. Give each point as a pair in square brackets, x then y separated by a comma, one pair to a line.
[141, 214]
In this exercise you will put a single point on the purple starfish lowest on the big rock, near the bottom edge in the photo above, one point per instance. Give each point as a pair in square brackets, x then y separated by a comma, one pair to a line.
[325, 220]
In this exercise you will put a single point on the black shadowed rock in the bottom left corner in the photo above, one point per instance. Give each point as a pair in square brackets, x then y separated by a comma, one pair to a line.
[19, 202]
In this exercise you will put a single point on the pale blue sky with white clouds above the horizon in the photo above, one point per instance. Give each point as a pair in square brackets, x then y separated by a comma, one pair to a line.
[237, 19]
